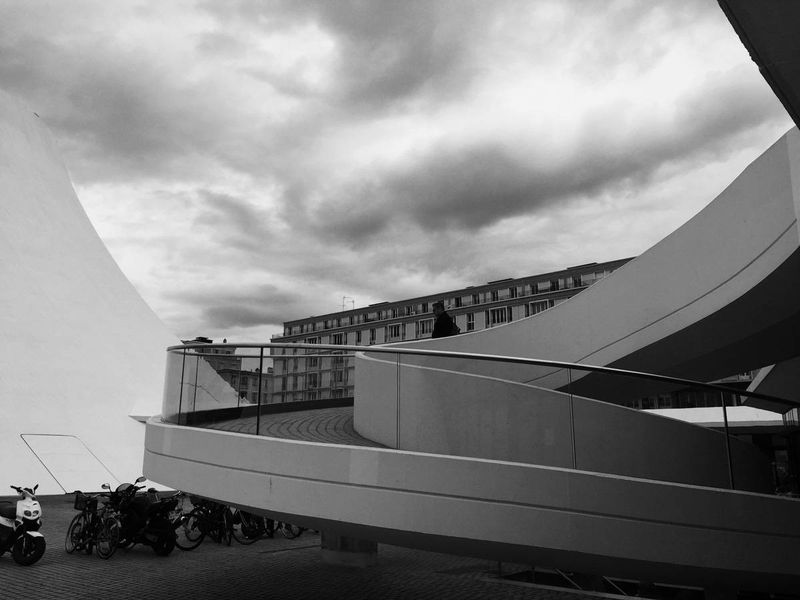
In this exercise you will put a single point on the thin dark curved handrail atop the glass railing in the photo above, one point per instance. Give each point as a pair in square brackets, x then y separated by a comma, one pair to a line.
[485, 357]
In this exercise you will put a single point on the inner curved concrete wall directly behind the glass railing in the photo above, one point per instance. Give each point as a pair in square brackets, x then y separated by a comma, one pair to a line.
[483, 417]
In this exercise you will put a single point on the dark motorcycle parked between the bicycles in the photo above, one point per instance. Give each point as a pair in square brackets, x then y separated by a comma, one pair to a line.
[144, 518]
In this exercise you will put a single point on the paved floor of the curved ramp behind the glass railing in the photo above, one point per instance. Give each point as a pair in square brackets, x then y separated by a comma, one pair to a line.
[327, 425]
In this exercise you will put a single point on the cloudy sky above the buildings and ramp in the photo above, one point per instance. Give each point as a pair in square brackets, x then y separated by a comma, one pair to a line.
[252, 161]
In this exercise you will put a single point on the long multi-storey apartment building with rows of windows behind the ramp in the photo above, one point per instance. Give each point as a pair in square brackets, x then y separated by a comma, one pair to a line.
[306, 375]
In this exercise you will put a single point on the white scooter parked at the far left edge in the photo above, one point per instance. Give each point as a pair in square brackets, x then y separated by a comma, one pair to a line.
[19, 527]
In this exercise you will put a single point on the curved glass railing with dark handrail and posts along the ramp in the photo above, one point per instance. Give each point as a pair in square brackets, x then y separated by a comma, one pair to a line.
[471, 414]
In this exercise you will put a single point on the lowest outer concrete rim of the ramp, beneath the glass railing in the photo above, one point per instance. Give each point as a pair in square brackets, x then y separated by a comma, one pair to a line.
[530, 514]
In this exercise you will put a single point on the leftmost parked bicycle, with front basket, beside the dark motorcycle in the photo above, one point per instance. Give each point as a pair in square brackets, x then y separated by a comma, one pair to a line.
[95, 528]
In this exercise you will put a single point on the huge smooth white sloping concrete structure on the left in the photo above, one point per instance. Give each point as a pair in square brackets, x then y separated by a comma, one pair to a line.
[81, 350]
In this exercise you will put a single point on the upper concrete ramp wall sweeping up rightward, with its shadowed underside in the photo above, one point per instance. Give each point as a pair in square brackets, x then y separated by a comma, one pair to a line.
[718, 296]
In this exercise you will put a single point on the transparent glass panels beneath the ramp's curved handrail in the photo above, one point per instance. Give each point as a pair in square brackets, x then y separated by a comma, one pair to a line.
[574, 416]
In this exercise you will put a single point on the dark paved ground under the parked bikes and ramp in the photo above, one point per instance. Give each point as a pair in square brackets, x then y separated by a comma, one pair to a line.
[272, 568]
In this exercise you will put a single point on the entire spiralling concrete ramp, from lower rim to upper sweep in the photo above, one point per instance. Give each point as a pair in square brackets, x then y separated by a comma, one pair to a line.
[497, 461]
